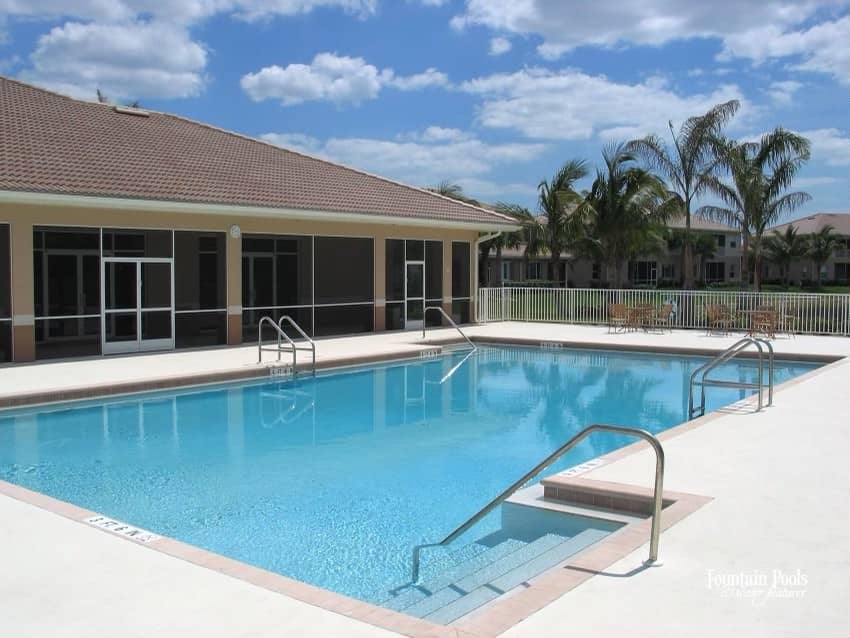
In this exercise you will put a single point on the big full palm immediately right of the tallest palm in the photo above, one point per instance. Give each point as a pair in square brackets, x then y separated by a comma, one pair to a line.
[761, 173]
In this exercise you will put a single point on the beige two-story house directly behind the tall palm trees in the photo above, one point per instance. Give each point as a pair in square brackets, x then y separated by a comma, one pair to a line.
[650, 270]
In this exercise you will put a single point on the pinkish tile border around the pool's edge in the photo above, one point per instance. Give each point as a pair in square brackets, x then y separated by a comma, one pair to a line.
[492, 619]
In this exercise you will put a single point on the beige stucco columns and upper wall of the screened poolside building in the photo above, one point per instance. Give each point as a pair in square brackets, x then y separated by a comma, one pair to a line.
[23, 217]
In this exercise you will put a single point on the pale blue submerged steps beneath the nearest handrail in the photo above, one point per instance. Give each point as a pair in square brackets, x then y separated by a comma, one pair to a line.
[488, 575]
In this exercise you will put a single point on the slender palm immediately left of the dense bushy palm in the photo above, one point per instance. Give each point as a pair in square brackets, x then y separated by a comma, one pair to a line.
[557, 199]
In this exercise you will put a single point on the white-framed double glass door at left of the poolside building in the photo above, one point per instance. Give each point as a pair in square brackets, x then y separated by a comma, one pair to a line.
[138, 304]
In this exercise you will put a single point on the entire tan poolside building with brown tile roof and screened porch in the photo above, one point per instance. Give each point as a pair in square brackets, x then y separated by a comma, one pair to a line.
[123, 230]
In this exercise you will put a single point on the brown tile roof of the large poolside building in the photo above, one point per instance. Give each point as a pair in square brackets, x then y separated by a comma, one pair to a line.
[50, 143]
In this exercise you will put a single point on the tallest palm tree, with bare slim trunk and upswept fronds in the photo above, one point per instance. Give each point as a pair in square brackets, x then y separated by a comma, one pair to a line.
[688, 163]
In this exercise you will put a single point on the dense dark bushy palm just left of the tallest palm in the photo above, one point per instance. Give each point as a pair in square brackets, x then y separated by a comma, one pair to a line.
[623, 211]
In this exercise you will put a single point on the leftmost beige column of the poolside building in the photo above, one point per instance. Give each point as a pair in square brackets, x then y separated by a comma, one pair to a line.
[23, 319]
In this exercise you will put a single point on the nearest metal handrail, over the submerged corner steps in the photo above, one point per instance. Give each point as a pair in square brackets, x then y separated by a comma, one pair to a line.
[566, 447]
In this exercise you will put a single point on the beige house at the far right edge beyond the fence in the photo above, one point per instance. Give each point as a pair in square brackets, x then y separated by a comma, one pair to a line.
[837, 268]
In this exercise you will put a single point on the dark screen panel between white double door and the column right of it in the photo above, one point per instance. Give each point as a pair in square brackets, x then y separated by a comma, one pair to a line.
[200, 276]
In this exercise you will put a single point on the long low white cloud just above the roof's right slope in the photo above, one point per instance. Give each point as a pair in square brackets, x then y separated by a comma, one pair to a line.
[416, 158]
